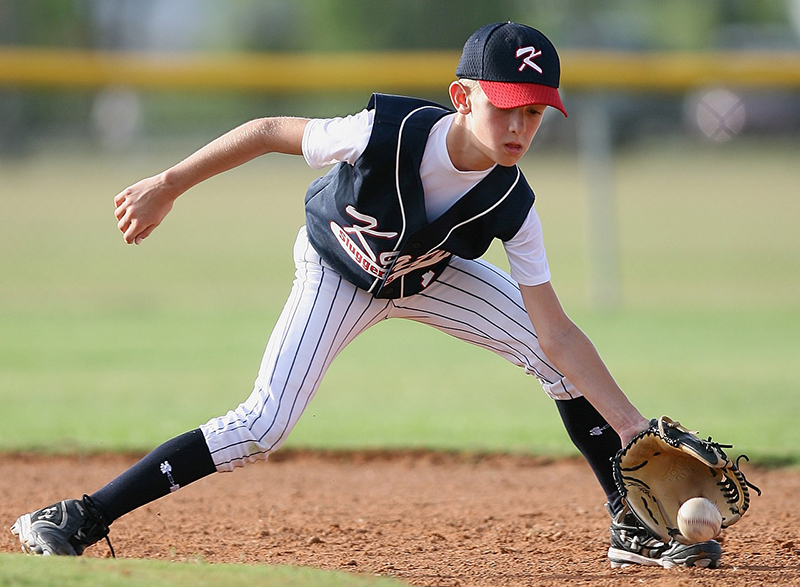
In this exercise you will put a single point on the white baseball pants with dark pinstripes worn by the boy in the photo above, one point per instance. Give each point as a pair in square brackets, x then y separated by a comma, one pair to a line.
[471, 300]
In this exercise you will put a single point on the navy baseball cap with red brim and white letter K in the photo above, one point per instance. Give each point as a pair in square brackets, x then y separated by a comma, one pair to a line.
[515, 65]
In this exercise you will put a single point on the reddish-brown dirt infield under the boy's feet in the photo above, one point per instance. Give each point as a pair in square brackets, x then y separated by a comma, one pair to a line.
[427, 519]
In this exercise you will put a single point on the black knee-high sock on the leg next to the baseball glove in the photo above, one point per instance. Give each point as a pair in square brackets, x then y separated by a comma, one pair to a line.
[596, 440]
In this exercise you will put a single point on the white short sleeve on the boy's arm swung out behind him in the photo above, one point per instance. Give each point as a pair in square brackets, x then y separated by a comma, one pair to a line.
[333, 140]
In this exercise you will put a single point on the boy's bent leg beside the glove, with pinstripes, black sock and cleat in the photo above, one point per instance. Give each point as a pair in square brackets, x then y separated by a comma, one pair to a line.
[481, 304]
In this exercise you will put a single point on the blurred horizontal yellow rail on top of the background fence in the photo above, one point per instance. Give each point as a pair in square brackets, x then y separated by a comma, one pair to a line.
[388, 71]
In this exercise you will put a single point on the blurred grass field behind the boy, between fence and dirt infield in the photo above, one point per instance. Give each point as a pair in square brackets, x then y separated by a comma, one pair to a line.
[111, 347]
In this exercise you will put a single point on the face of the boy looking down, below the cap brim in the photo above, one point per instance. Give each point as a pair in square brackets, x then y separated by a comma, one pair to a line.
[502, 135]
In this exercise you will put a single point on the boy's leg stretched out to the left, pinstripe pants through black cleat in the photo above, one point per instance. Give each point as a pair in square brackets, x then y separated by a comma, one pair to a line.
[323, 314]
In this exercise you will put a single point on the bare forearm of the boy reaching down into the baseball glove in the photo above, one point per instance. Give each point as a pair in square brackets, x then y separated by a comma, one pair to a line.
[576, 357]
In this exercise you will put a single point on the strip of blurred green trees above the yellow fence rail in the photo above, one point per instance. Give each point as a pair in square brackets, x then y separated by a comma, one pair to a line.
[363, 25]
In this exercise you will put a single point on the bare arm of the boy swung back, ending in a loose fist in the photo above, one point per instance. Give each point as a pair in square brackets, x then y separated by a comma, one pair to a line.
[141, 207]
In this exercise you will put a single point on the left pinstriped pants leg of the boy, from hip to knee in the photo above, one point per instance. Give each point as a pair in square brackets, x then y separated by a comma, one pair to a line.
[323, 314]
